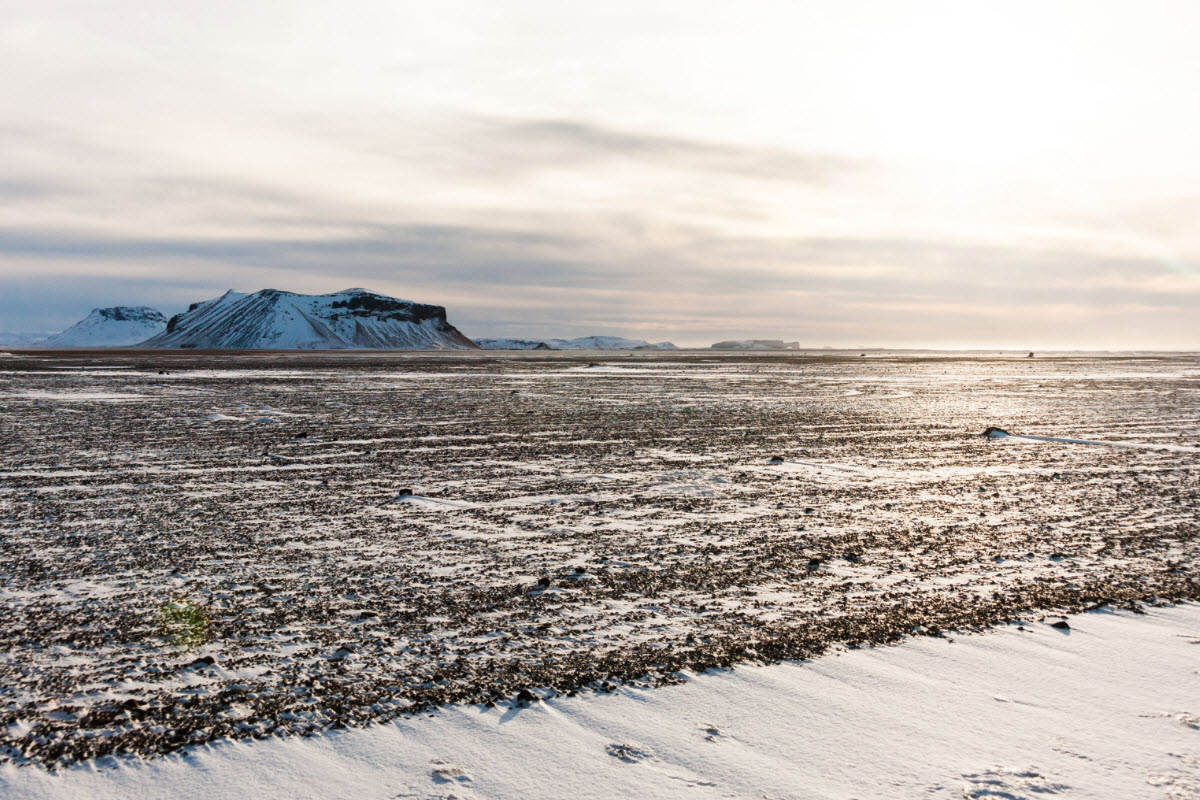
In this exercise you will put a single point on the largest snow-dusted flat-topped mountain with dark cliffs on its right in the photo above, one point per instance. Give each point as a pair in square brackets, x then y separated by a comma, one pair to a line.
[355, 320]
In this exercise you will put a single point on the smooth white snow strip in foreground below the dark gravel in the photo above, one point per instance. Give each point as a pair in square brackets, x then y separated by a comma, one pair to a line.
[1108, 709]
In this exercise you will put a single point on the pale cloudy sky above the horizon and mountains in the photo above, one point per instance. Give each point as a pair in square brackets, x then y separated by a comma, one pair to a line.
[951, 175]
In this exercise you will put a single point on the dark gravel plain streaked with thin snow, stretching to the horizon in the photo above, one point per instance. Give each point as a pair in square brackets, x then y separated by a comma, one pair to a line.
[205, 546]
